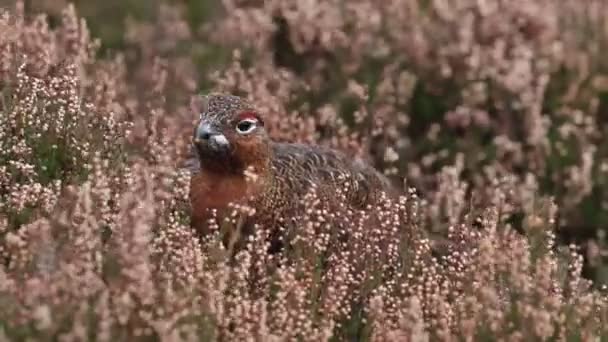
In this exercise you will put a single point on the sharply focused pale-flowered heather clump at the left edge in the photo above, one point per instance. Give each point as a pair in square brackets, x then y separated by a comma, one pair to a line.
[57, 113]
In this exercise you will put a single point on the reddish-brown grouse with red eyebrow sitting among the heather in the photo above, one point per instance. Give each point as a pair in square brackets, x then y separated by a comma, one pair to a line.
[283, 173]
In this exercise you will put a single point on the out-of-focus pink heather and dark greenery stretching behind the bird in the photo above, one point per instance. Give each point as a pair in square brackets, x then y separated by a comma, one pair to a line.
[544, 125]
